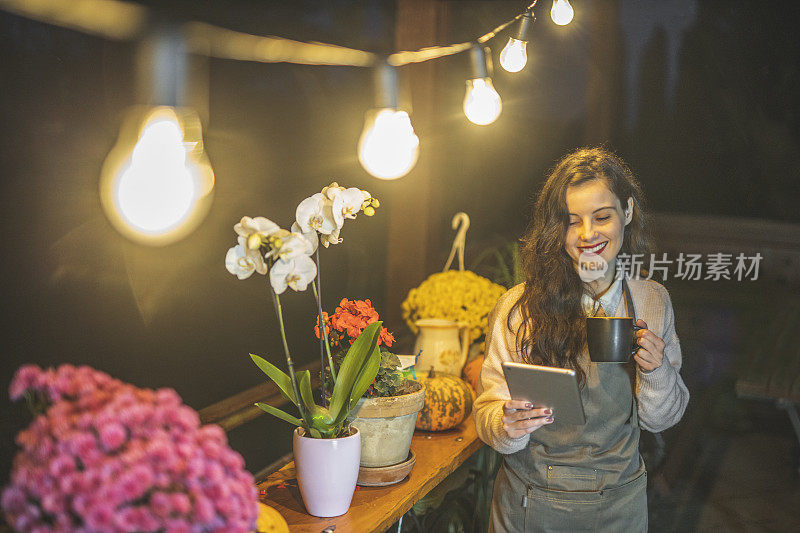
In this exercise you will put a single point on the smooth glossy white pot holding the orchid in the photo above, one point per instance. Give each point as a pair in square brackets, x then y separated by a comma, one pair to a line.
[327, 471]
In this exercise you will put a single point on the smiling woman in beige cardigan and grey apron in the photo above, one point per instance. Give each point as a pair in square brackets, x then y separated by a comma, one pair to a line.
[557, 476]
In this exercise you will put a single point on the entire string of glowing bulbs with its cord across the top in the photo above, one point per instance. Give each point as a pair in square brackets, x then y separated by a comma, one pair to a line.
[167, 141]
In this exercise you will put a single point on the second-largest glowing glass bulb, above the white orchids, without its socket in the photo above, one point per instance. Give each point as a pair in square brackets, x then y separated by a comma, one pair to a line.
[388, 148]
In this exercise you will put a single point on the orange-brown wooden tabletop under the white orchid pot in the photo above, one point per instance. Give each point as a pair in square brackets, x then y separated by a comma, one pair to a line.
[377, 508]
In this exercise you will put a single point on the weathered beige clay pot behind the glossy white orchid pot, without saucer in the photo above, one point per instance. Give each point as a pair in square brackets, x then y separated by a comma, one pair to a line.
[386, 426]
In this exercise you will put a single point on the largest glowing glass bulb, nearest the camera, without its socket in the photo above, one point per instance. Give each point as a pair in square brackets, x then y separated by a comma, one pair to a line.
[156, 184]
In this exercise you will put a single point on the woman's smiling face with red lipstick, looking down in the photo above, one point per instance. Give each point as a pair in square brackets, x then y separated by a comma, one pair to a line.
[597, 223]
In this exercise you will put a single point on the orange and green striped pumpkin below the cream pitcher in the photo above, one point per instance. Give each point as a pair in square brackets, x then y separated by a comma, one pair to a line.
[448, 401]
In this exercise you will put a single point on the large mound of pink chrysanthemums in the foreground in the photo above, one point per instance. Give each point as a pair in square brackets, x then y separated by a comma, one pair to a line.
[107, 456]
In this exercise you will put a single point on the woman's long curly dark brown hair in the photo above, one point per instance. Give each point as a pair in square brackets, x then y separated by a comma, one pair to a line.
[553, 327]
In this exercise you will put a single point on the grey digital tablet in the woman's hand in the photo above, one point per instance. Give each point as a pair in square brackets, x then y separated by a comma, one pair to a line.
[545, 386]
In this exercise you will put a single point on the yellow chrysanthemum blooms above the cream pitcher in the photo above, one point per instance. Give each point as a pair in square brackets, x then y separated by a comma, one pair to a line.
[453, 295]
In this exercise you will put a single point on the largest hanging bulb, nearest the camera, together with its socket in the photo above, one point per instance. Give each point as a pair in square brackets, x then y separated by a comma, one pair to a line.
[156, 184]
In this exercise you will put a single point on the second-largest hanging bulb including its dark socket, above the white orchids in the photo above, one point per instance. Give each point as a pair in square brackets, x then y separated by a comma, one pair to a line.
[388, 147]
